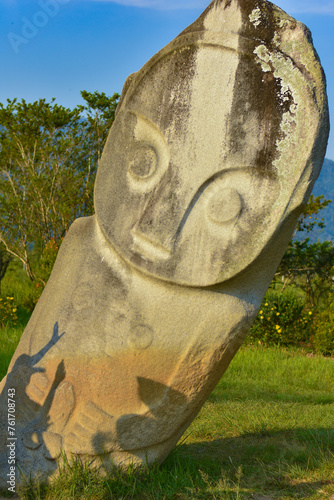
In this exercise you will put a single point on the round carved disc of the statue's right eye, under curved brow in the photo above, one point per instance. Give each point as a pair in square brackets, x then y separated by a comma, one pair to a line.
[224, 205]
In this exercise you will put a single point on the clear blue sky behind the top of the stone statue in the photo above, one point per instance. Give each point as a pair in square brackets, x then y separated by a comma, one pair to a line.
[55, 48]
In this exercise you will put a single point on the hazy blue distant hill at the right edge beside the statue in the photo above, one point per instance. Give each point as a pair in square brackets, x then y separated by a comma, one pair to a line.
[325, 185]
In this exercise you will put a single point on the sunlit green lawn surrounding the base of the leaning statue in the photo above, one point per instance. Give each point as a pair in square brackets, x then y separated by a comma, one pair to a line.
[266, 432]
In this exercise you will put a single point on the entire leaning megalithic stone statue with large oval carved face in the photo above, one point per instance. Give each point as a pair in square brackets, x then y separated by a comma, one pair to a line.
[216, 145]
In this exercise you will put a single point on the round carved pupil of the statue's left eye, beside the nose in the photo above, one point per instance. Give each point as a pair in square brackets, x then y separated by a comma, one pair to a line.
[143, 161]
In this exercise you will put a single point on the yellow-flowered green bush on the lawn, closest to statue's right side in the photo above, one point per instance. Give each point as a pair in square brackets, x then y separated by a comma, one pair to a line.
[282, 320]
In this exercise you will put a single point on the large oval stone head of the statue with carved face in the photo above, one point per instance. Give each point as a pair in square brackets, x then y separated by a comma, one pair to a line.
[217, 141]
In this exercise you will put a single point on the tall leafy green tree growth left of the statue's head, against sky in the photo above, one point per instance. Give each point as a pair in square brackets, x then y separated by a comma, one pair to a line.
[48, 161]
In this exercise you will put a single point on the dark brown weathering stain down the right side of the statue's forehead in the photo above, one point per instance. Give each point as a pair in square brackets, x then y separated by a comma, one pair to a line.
[256, 92]
